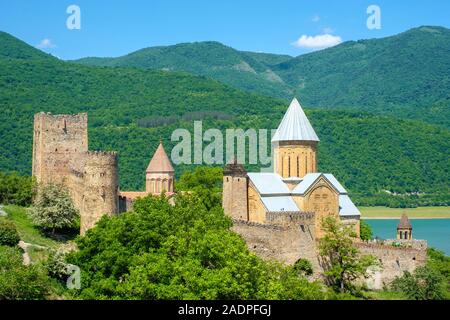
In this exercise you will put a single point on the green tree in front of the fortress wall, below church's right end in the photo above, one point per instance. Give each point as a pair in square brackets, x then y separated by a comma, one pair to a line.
[340, 259]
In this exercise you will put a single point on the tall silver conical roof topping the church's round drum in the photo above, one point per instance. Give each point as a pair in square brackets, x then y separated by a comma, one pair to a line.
[295, 126]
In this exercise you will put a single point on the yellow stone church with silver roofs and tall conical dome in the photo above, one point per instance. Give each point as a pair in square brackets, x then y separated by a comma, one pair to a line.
[295, 188]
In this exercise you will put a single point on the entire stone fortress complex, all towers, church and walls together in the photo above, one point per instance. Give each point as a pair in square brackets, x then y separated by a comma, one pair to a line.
[278, 214]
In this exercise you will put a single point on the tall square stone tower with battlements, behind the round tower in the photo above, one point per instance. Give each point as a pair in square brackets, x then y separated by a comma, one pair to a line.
[57, 140]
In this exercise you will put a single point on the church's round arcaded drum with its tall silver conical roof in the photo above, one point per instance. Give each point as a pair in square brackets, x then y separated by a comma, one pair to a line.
[295, 144]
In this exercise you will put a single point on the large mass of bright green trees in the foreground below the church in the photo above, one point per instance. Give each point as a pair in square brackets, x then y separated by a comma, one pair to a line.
[184, 251]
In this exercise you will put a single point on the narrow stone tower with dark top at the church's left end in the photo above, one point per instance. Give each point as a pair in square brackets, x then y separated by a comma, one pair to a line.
[235, 188]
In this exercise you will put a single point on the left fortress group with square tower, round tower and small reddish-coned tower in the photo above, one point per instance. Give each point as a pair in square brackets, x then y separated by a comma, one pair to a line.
[61, 156]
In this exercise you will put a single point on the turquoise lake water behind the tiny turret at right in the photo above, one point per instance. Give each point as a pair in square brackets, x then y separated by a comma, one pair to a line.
[435, 231]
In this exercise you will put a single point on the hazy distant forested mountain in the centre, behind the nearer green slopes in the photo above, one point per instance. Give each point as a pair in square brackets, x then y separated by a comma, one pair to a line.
[242, 70]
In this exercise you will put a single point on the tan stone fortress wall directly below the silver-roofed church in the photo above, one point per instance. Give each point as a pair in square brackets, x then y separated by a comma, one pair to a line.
[285, 243]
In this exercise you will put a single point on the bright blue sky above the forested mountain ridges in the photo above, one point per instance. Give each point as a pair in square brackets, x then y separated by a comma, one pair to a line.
[113, 28]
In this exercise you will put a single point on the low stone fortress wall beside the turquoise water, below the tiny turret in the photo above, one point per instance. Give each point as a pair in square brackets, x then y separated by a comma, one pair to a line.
[394, 260]
